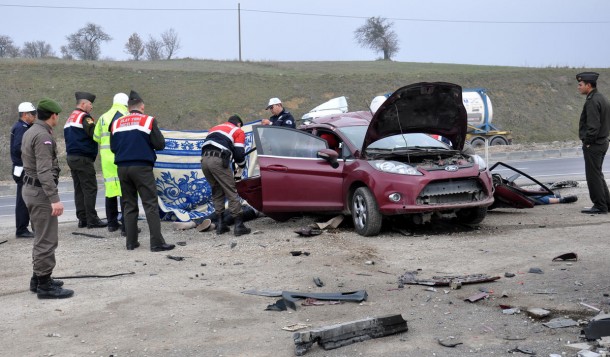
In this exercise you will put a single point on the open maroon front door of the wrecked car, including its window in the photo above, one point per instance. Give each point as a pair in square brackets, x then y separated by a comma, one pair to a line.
[292, 177]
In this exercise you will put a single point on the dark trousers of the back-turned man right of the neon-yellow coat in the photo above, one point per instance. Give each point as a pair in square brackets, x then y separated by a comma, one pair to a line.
[140, 180]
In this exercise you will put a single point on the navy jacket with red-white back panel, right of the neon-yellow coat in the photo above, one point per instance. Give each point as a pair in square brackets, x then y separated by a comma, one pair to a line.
[134, 139]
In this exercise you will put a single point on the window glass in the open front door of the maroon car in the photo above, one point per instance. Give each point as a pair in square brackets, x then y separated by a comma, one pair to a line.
[278, 141]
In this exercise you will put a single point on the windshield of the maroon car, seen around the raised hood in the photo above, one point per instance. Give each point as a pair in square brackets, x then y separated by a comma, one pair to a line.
[395, 142]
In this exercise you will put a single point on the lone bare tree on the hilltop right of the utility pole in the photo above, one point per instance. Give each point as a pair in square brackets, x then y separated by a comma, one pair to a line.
[377, 34]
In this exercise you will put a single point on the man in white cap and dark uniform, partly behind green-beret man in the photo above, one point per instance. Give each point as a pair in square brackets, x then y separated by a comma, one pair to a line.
[27, 115]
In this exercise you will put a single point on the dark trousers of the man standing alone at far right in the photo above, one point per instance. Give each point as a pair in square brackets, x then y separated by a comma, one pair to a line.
[598, 189]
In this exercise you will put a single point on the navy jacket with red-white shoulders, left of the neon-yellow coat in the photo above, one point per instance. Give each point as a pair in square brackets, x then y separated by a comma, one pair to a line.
[78, 133]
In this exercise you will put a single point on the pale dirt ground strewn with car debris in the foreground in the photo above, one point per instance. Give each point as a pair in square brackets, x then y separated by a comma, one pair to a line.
[195, 307]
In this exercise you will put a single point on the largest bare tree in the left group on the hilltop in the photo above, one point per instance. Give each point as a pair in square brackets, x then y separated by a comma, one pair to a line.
[85, 43]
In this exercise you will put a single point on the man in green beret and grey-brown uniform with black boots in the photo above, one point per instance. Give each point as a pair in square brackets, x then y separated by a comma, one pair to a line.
[41, 173]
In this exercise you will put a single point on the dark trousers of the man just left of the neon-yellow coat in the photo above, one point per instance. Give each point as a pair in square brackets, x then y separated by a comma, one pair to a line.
[85, 187]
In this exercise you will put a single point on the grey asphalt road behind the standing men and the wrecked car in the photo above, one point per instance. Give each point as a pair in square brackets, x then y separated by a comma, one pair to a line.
[545, 170]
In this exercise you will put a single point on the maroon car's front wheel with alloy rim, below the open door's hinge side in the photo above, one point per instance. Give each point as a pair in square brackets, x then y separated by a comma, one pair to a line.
[365, 213]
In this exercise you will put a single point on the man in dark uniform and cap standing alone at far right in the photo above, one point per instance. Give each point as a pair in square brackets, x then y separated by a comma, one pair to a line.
[593, 131]
